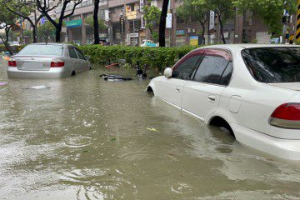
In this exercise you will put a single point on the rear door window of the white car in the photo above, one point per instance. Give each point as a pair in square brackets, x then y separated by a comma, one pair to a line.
[211, 69]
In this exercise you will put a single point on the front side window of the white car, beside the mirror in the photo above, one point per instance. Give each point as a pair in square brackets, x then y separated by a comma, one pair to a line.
[185, 69]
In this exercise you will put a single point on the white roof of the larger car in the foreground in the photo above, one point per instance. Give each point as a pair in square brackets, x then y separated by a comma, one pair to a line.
[236, 47]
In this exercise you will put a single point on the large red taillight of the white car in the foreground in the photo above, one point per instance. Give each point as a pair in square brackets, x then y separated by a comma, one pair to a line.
[286, 116]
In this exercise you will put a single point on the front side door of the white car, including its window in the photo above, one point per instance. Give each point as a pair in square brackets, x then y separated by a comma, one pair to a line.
[170, 89]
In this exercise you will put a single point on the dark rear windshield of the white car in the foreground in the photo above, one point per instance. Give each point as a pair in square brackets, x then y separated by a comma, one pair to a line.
[273, 65]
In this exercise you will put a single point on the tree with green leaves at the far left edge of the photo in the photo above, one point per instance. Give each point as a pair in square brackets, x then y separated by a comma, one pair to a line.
[7, 20]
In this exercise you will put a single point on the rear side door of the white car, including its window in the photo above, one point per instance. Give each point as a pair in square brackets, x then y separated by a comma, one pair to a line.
[201, 96]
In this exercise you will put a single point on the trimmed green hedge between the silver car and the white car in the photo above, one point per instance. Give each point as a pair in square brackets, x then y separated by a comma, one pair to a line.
[155, 57]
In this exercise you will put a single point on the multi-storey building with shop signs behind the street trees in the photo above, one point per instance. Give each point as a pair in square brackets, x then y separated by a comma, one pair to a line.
[125, 25]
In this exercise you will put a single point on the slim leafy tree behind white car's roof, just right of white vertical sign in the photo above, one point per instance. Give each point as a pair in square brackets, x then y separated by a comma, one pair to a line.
[222, 9]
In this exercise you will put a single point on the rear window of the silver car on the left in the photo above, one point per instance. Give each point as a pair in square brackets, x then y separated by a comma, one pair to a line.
[55, 50]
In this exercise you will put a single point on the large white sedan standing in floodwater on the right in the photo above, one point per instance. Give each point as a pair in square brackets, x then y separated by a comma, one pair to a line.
[251, 90]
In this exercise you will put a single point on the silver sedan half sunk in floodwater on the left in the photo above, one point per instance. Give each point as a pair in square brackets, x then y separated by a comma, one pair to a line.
[52, 60]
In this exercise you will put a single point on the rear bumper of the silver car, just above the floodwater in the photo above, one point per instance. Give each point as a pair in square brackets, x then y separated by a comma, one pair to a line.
[53, 73]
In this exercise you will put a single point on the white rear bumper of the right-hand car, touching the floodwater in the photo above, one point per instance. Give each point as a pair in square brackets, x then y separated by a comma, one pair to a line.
[283, 148]
